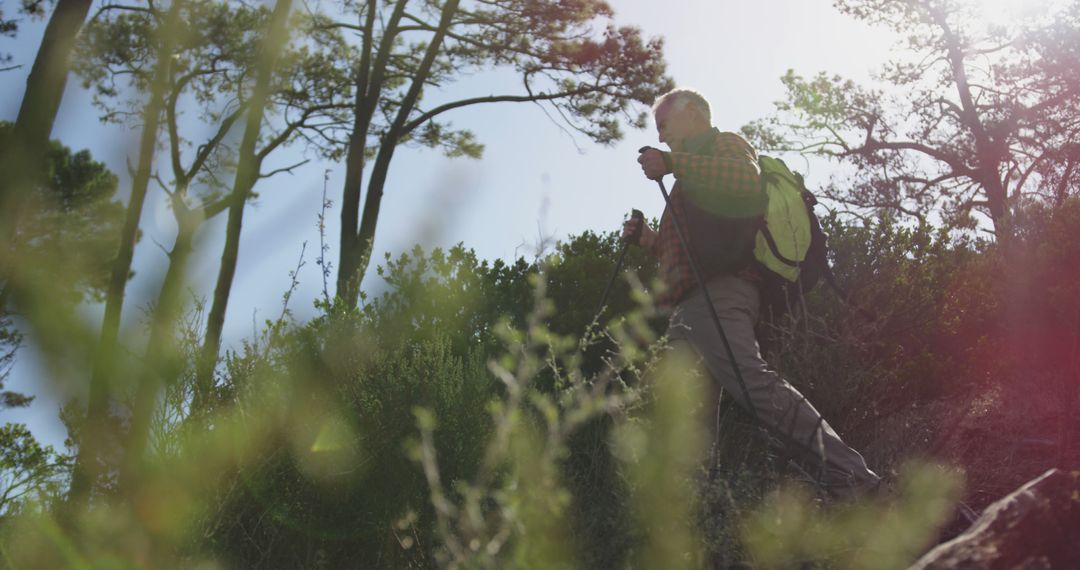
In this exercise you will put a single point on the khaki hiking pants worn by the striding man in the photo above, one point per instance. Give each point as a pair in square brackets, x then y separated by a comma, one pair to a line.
[777, 403]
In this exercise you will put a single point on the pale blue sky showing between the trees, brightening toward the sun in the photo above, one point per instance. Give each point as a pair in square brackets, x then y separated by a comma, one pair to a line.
[534, 182]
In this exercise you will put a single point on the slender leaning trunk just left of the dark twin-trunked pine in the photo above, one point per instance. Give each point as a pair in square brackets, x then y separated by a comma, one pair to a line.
[248, 171]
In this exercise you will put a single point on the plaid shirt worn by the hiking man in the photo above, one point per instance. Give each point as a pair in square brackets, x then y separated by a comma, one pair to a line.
[720, 170]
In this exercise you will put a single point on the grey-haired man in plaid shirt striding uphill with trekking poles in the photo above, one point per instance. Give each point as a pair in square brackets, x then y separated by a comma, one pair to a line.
[718, 188]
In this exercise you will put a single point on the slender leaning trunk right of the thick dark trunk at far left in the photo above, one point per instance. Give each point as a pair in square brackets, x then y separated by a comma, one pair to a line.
[94, 436]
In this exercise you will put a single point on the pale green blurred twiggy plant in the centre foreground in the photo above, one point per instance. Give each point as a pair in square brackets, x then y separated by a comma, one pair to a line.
[515, 512]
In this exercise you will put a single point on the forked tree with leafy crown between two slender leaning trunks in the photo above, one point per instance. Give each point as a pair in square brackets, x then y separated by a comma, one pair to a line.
[215, 56]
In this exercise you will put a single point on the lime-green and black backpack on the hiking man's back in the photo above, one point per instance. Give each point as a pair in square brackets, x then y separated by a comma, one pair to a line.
[790, 243]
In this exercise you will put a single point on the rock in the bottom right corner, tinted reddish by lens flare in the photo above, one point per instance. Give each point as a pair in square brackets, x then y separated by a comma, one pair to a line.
[1036, 527]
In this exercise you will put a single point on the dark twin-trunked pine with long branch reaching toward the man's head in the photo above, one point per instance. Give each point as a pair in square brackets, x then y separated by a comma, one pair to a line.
[407, 48]
